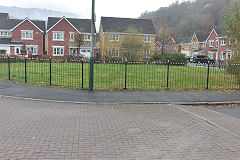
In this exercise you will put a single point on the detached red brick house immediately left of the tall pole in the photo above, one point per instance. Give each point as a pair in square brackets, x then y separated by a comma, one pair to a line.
[61, 34]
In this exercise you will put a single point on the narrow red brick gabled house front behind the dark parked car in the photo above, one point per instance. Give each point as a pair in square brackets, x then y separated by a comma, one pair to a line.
[212, 45]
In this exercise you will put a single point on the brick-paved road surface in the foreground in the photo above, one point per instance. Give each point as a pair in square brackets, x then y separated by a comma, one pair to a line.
[50, 130]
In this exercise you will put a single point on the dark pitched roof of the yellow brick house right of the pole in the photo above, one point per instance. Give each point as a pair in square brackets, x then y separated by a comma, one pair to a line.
[113, 24]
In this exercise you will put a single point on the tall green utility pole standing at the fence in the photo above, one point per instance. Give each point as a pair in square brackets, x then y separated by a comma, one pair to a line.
[92, 46]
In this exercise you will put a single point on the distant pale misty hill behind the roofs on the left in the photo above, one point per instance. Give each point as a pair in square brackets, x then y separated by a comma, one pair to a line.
[34, 13]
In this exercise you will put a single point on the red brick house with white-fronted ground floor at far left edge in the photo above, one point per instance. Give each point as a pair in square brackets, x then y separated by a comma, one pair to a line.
[18, 35]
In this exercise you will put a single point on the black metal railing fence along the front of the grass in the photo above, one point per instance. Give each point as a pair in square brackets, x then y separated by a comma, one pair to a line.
[120, 75]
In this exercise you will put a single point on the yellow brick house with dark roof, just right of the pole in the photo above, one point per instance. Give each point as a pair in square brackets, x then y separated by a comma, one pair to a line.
[113, 31]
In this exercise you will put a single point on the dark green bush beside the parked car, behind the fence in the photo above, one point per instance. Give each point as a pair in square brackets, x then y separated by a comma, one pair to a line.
[172, 57]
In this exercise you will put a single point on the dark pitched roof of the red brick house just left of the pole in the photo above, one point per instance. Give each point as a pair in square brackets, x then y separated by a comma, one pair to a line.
[84, 24]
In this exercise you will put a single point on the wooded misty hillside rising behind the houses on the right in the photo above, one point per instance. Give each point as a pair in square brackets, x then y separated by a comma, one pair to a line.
[185, 18]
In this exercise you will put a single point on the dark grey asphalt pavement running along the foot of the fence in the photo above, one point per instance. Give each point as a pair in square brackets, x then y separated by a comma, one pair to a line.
[204, 97]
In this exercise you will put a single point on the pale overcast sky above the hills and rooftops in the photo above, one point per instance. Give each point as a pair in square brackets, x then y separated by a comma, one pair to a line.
[116, 8]
